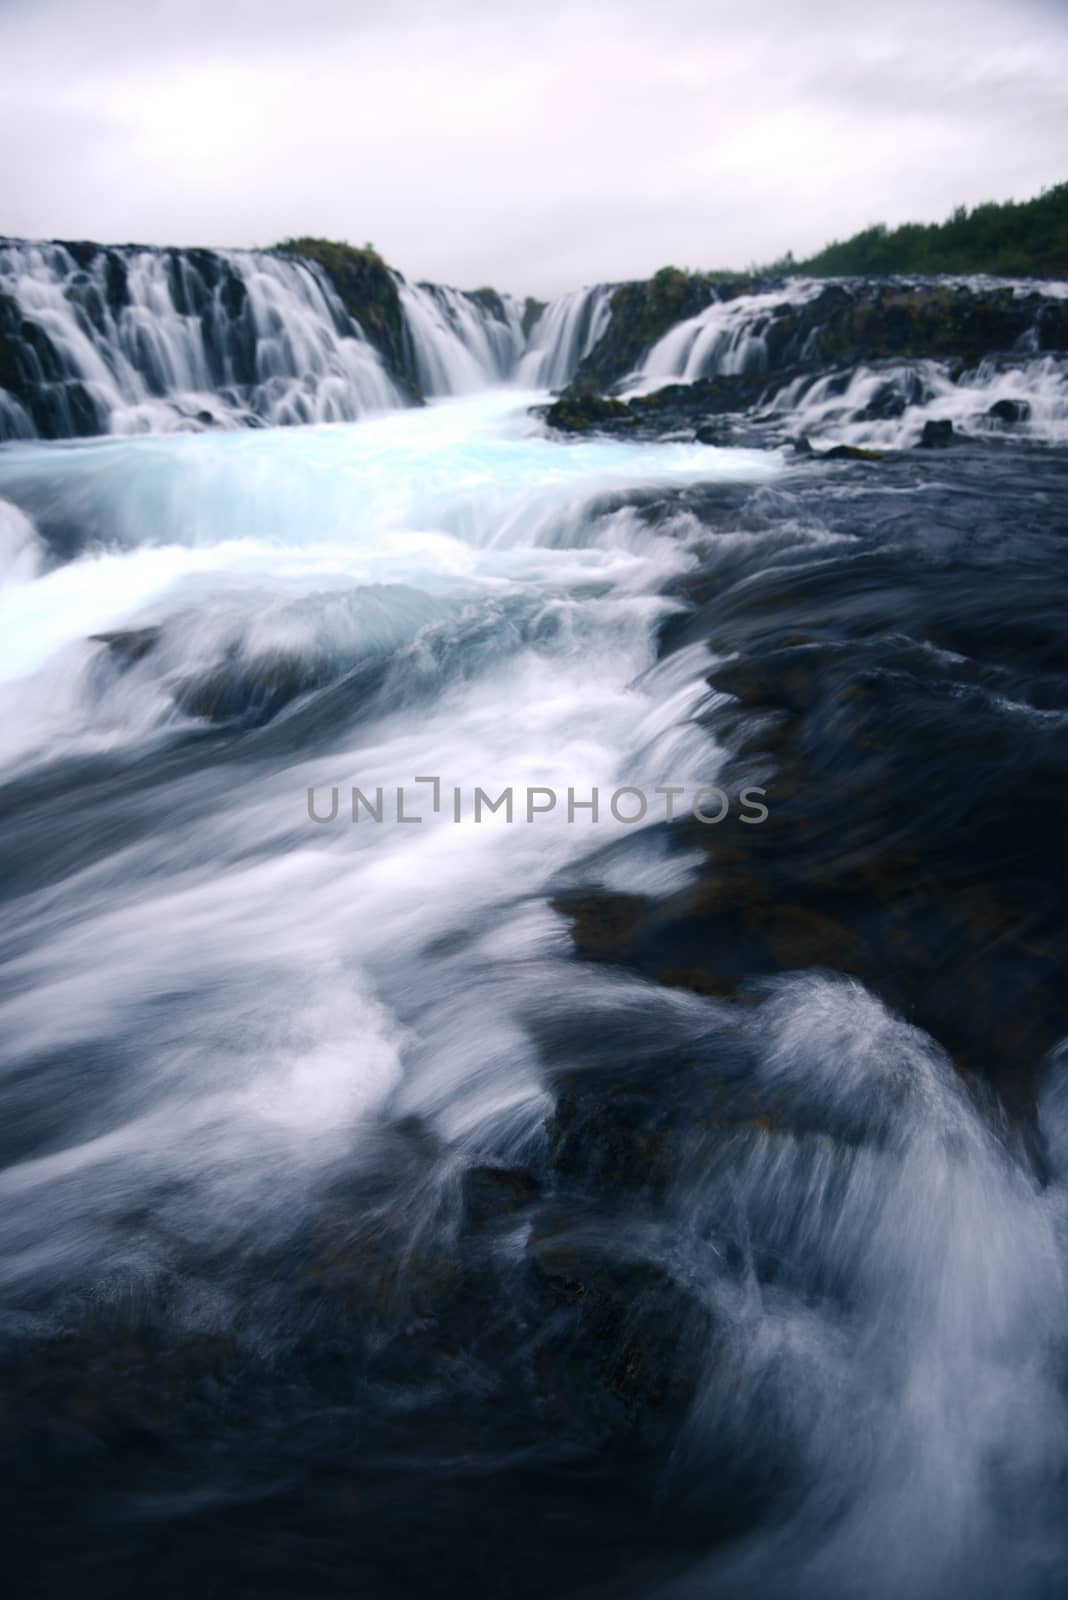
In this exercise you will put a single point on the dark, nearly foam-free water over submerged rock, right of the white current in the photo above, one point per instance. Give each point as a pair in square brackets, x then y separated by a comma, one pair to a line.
[859, 690]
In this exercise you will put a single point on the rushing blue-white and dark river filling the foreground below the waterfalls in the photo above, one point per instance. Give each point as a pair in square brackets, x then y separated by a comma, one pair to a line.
[536, 1206]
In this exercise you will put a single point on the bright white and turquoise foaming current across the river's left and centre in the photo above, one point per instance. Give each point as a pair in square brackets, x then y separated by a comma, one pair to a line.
[476, 564]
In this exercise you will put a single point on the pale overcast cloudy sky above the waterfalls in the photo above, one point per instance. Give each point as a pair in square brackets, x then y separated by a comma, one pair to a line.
[536, 145]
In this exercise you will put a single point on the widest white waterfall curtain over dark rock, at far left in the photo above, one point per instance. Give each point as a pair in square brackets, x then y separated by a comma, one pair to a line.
[135, 340]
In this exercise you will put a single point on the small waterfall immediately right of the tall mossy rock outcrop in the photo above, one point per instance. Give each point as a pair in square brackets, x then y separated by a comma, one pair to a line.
[461, 343]
